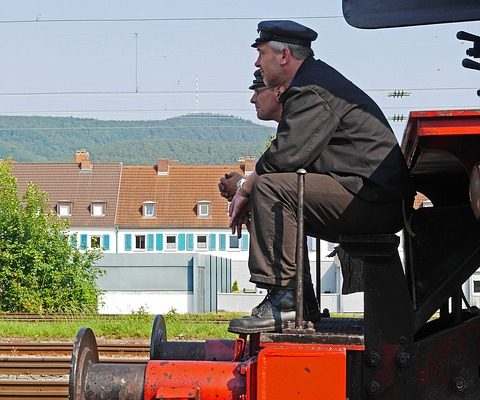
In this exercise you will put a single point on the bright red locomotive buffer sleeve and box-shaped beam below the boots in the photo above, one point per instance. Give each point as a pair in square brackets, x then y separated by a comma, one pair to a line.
[279, 371]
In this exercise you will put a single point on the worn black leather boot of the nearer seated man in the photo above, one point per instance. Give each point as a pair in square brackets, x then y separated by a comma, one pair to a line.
[270, 315]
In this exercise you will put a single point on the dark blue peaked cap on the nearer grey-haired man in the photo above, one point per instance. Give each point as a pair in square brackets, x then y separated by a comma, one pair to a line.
[286, 32]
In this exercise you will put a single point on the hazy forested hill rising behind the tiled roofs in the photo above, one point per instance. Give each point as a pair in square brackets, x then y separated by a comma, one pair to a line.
[193, 138]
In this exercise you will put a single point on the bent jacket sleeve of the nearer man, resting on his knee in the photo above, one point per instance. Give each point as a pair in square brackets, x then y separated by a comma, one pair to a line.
[306, 127]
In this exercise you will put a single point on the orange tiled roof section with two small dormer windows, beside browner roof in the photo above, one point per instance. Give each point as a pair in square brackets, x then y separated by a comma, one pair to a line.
[176, 195]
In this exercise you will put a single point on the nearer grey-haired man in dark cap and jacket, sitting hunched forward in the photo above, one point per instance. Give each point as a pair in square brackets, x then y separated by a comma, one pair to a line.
[357, 179]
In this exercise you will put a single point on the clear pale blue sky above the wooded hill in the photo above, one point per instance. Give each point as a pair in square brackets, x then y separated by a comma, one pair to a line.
[145, 60]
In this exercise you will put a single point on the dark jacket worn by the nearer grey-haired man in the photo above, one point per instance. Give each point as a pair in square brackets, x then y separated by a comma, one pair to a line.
[330, 126]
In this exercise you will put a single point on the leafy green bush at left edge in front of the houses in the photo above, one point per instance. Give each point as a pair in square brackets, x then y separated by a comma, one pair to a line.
[40, 269]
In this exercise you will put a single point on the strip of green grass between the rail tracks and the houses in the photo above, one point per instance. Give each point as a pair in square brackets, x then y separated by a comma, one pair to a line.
[133, 326]
